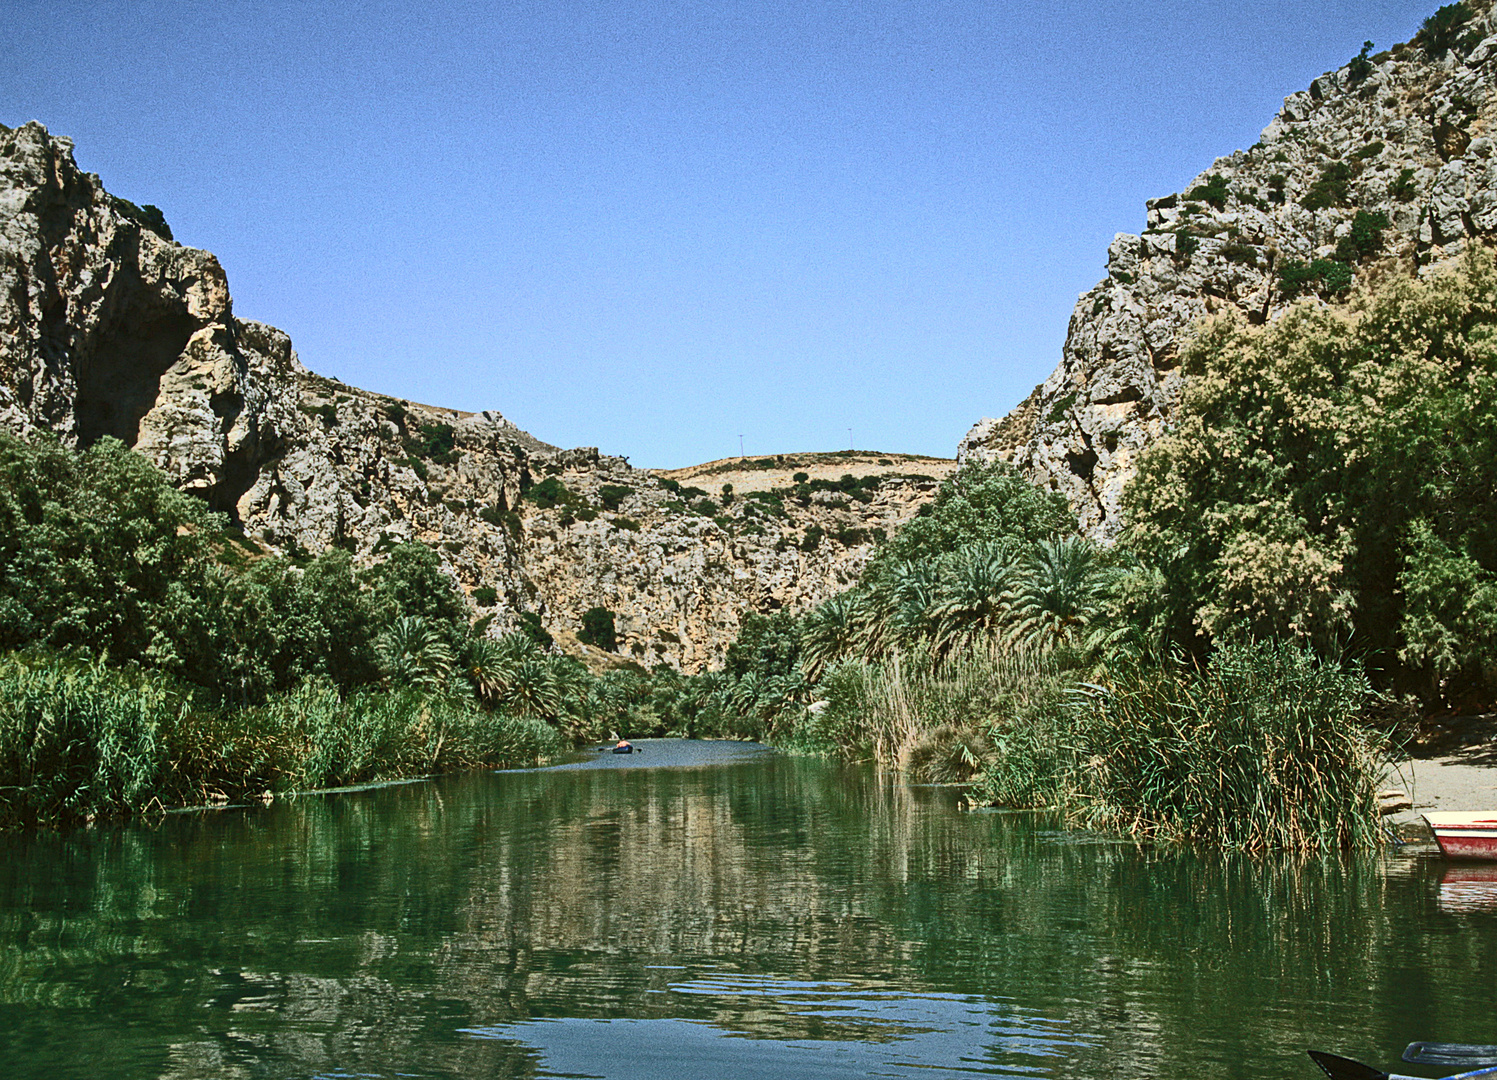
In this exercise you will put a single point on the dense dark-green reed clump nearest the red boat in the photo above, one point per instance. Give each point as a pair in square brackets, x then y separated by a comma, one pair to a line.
[1263, 751]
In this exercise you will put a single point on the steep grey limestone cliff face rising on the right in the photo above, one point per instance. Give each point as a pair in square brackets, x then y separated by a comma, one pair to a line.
[1405, 134]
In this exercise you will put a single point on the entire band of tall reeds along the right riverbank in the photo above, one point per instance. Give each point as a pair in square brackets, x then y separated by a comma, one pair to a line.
[1261, 750]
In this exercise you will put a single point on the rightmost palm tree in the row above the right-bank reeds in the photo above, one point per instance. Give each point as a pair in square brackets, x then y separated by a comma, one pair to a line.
[1061, 594]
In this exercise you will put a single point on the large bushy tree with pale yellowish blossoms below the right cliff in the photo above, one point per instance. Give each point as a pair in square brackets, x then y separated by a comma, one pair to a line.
[1330, 480]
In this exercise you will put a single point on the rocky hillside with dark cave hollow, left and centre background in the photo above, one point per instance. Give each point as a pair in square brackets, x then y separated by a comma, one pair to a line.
[109, 327]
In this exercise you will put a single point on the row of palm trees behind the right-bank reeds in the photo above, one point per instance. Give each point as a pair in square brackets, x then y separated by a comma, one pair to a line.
[1032, 597]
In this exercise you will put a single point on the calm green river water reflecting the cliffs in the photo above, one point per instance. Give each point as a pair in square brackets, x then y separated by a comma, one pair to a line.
[662, 916]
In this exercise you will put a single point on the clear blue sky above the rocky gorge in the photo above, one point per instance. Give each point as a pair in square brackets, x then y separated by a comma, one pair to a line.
[656, 227]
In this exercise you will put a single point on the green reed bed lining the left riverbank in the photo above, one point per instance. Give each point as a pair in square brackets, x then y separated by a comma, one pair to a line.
[82, 742]
